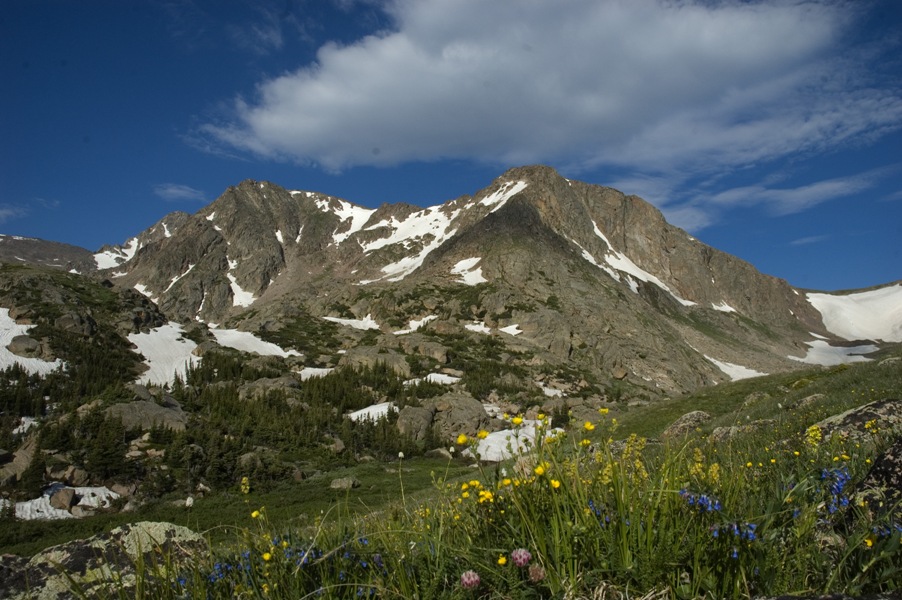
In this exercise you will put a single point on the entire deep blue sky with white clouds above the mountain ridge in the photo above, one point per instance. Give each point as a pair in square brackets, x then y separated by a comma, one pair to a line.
[769, 129]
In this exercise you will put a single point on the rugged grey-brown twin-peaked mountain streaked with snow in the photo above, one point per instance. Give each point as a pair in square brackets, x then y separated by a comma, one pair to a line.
[563, 271]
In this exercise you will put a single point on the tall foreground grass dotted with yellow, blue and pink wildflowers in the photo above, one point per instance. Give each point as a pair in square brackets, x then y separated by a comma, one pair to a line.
[583, 514]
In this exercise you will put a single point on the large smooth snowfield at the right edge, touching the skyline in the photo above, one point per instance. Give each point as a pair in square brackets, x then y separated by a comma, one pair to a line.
[873, 315]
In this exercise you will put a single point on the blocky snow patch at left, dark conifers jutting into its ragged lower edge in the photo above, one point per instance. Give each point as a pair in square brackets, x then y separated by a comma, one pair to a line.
[166, 352]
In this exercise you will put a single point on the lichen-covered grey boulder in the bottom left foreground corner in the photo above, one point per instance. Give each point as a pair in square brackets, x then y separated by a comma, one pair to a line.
[100, 566]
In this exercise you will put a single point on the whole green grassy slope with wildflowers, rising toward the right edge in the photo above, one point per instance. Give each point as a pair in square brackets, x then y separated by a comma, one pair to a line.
[773, 511]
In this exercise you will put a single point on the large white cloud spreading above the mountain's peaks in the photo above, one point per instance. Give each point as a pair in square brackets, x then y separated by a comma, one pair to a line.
[645, 85]
